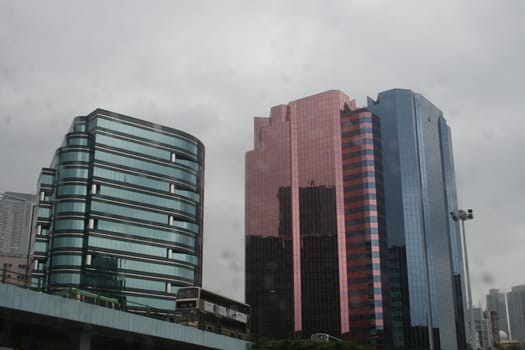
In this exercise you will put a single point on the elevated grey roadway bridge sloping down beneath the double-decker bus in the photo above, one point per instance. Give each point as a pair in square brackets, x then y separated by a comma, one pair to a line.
[34, 320]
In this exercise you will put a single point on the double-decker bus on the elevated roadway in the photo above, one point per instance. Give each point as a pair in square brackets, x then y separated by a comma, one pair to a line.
[212, 312]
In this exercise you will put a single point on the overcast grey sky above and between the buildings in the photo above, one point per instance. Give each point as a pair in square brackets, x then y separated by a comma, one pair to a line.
[209, 67]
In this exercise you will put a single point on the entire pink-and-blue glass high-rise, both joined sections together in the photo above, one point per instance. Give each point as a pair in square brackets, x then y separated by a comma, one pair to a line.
[348, 226]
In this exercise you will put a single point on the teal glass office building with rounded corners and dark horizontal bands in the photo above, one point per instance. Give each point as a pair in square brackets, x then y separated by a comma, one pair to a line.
[120, 211]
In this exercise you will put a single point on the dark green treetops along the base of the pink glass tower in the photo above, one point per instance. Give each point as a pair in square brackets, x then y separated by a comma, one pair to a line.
[306, 345]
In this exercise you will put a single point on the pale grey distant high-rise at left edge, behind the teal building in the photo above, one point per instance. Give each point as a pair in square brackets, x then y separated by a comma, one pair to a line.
[15, 223]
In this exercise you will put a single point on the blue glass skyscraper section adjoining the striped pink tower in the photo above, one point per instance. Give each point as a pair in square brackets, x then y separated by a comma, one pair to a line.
[423, 242]
